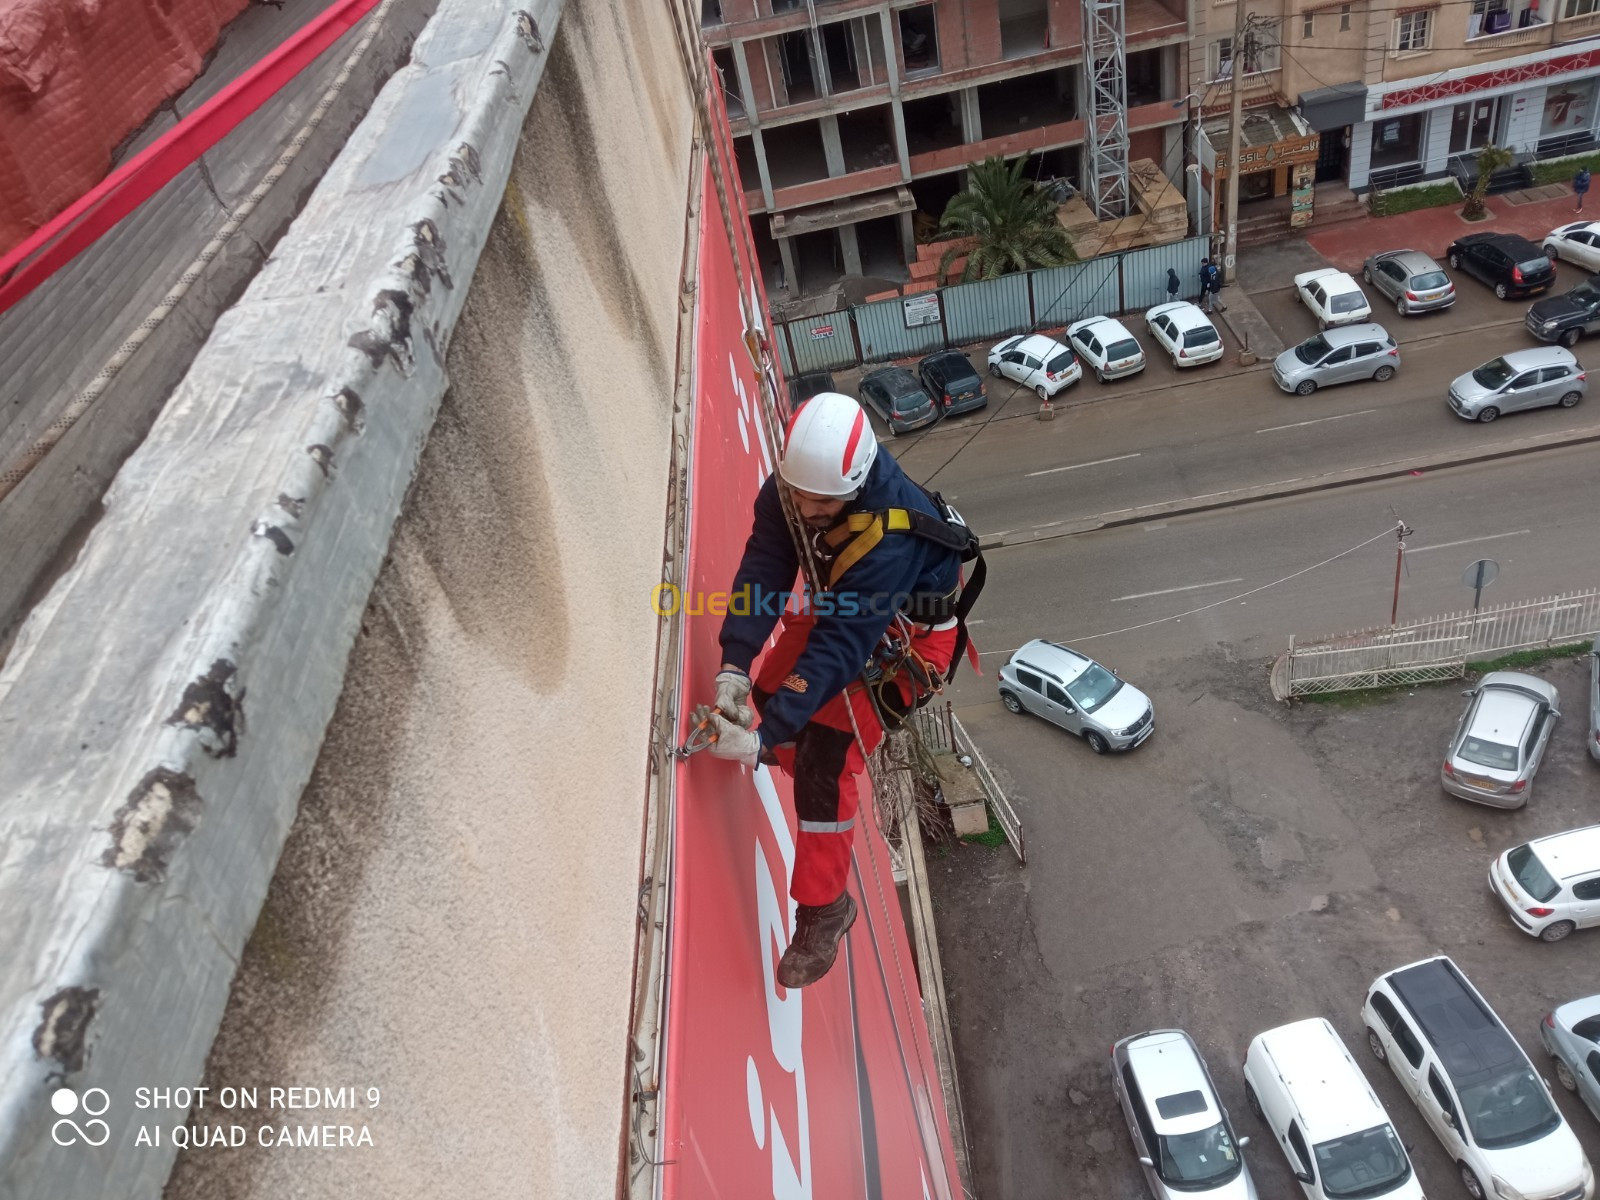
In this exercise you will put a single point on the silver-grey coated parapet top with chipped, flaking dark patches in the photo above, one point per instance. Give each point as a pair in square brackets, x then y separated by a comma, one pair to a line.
[162, 710]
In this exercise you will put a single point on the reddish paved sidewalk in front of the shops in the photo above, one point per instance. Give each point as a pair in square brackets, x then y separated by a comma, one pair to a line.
[1532, 214]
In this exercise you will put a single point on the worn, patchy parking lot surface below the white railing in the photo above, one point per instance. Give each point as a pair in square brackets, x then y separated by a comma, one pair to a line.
[1249, 866]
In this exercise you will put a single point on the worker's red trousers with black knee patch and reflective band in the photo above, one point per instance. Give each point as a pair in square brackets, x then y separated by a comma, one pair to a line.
[825, 761]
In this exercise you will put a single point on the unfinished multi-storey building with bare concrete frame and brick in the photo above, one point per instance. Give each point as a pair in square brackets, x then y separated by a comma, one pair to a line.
[850, 116]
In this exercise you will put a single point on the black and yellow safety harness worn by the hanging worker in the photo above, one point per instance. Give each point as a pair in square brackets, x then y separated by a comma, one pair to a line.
[857, 537]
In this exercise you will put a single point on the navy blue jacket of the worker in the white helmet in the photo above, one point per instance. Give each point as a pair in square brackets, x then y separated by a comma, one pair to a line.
[852, 617]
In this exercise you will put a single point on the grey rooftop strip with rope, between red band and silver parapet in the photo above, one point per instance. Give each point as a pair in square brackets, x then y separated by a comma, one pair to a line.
[57, 340]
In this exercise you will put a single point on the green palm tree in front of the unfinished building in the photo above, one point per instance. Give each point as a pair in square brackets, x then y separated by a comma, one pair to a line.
[1014, 222]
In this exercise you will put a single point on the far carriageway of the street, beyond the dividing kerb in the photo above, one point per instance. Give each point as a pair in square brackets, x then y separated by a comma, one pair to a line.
[1174, 438]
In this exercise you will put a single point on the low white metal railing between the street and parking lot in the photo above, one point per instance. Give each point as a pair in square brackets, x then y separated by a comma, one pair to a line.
[1434, 649]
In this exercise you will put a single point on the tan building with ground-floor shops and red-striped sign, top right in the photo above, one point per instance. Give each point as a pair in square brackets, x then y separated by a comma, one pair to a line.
[1401, 92]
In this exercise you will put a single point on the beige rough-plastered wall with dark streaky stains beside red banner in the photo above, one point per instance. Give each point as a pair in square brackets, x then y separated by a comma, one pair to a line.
[455, 913]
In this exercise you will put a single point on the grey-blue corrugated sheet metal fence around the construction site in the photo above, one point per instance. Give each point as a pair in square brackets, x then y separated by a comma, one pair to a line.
[990, 310]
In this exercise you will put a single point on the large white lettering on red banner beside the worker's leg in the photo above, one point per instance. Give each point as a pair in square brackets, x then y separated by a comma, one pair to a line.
[775, 921]
